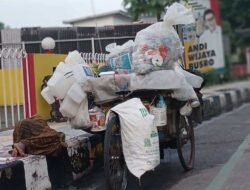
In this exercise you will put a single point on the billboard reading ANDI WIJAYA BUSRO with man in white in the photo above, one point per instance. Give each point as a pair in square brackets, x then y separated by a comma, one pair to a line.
[203, 40]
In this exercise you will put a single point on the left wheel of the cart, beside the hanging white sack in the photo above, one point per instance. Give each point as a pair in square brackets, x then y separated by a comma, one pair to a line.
[114, 163]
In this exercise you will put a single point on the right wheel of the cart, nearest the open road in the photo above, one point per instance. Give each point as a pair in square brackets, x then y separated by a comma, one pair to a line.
[185, 141]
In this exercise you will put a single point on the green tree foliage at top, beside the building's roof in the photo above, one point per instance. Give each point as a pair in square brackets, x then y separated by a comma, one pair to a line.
[136, 8]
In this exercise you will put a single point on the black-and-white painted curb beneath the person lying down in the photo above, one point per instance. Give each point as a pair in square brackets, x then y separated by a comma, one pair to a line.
[84, 152]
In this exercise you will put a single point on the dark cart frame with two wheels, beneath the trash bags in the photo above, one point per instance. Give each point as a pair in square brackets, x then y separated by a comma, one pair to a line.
[177, 134]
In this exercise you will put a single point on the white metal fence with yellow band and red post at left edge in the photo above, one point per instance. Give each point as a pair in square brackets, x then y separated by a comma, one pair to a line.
[12, 94]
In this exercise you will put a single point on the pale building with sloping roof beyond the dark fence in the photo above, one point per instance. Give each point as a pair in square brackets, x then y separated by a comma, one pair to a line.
[111, 18]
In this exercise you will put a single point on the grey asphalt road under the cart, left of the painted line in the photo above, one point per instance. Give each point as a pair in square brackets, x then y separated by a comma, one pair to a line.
[217, 140]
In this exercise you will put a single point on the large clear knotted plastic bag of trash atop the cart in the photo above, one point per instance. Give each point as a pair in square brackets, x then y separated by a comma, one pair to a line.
[159, 44]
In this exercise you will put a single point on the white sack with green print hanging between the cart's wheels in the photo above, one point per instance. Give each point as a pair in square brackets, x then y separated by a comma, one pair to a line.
[140, 141]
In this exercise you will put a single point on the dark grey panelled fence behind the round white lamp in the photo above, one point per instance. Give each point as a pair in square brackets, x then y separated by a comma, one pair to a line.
[81, 38]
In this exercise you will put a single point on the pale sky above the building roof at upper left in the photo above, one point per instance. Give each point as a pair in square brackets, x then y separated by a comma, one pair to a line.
[49, 13]
